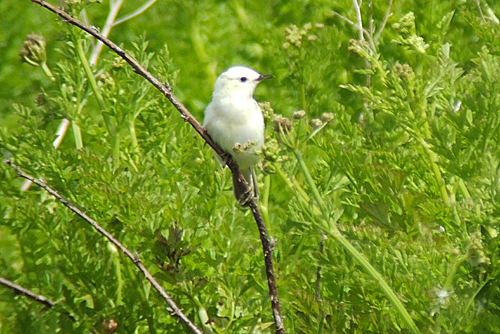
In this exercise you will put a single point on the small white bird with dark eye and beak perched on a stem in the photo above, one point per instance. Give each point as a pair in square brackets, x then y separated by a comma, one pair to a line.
[235, 122]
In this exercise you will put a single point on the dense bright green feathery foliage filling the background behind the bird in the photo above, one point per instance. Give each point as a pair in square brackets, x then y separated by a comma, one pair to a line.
[388, 146]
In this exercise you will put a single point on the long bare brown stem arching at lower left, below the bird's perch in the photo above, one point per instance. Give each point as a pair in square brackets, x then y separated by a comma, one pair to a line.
[172, 307]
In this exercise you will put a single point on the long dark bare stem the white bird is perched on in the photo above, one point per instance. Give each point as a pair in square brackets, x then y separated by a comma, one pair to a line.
[166, 90]
